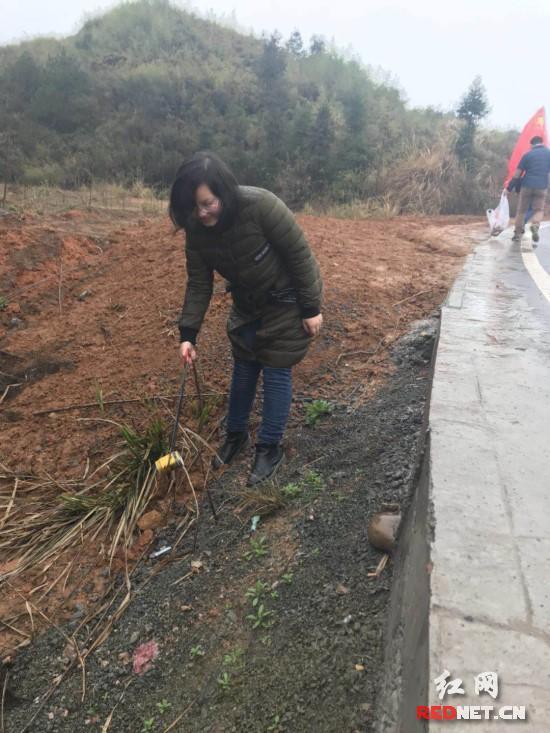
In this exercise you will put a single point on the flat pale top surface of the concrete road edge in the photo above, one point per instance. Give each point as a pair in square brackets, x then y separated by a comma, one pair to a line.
[490, 490]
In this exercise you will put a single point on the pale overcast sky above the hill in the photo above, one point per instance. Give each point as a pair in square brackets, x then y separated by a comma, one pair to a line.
[433, 48]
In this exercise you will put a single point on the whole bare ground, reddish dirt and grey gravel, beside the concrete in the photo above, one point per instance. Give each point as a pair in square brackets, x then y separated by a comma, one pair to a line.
[89, 318]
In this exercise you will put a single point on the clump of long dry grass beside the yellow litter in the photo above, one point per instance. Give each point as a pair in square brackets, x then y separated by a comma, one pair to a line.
[44, 517]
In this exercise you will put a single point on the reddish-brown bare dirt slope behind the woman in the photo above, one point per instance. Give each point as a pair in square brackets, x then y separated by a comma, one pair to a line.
[91, 311]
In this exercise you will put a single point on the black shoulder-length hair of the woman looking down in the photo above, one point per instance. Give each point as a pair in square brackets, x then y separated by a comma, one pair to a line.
[203, 167]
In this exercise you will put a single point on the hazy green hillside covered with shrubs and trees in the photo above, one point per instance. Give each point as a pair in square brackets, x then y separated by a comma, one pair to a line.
[143, 86]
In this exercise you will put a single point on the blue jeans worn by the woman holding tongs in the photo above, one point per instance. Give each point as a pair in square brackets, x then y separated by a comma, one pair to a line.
[277, 394]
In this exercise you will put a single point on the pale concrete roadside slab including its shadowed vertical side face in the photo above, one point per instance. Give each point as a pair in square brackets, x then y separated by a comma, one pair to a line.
[469, 595]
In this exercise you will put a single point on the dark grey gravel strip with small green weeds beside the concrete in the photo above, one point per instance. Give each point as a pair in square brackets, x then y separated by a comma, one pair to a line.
[313, 662]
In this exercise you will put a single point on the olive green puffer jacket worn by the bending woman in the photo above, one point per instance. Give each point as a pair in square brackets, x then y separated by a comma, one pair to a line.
[271, 273]
